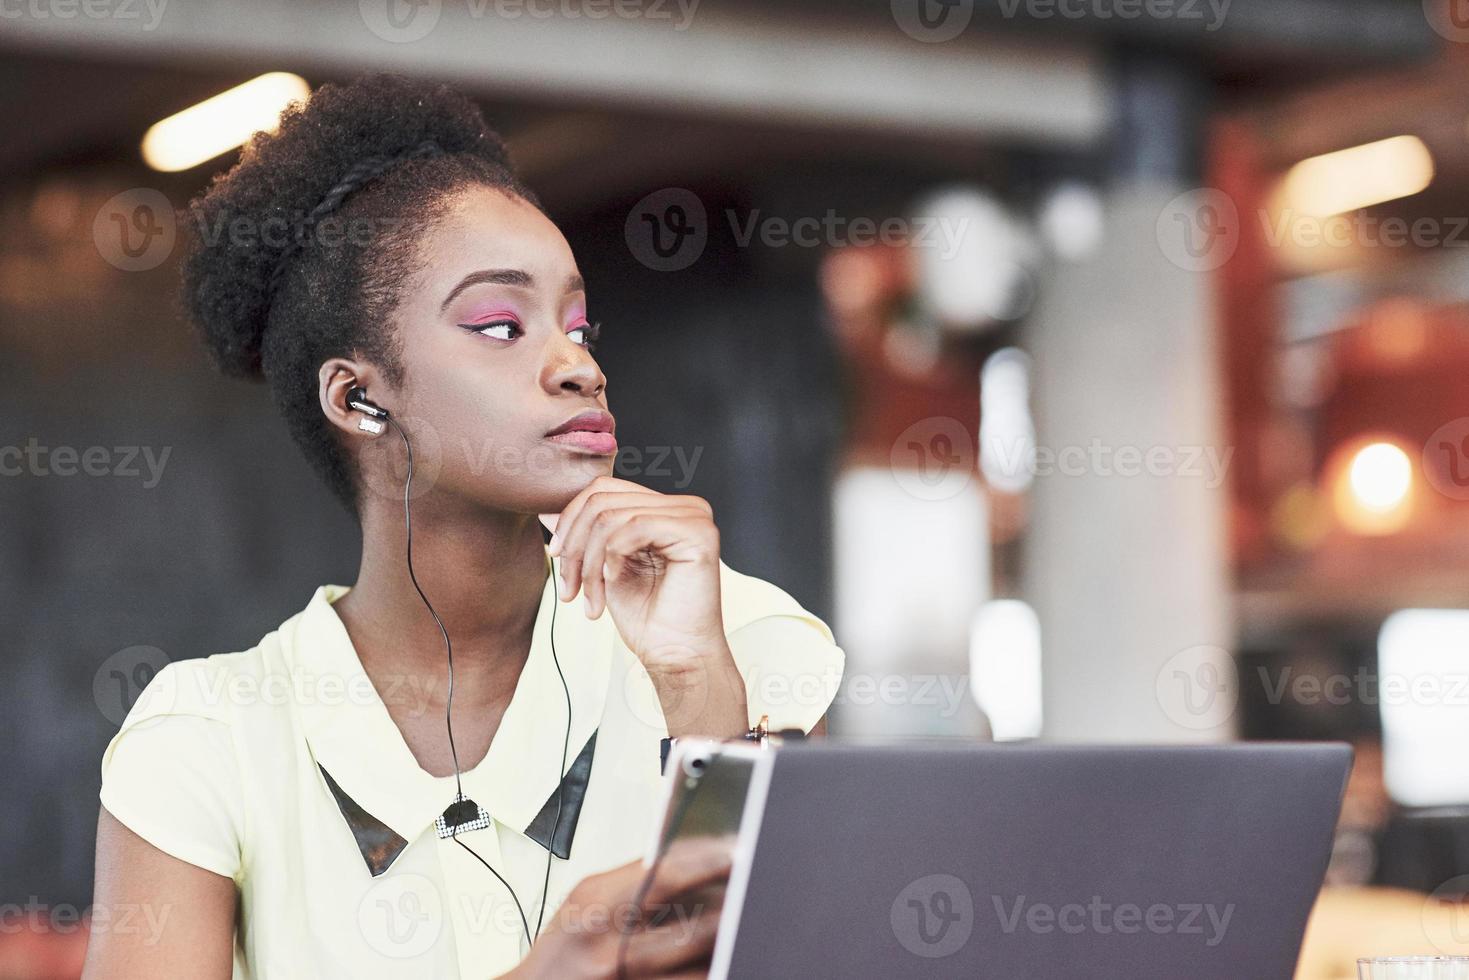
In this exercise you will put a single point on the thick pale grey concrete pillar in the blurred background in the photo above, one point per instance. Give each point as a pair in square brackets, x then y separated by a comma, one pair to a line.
[1126, 562]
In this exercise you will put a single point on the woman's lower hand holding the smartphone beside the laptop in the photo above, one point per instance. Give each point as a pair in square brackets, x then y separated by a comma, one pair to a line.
[672, 937]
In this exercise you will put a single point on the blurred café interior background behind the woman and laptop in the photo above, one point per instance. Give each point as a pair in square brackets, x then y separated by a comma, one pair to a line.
[1097, 368]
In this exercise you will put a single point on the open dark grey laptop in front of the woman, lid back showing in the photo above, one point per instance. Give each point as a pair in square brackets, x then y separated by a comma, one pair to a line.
[1045, 863]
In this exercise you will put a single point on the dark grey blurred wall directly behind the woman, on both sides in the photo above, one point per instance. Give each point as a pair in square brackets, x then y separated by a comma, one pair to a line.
[105, 578]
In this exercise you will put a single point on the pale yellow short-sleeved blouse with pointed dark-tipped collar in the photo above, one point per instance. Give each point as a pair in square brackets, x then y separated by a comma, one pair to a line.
[281, 769]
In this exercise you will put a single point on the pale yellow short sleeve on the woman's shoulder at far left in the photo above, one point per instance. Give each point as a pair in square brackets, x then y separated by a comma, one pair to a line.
[173, 778]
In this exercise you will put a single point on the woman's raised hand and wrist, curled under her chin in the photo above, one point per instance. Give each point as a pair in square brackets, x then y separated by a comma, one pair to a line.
[653, 561]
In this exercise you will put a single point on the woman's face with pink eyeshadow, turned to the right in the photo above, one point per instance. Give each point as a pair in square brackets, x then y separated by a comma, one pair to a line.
[496, 343]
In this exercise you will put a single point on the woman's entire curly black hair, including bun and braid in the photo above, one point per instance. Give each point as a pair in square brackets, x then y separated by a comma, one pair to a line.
[300, 252]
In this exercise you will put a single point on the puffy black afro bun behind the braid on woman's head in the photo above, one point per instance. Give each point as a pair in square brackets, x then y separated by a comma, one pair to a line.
[246, 223]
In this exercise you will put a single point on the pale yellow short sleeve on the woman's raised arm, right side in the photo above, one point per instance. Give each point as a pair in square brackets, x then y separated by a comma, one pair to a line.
[790, 659]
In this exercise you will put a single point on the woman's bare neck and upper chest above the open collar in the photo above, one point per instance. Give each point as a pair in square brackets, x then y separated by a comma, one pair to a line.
[486, 577]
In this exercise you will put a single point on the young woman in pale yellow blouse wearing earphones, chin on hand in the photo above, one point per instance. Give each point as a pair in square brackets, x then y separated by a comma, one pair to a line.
[450, 769]
